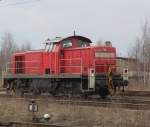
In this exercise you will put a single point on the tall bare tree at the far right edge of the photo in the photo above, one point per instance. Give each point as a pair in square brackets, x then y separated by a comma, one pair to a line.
[141, 52]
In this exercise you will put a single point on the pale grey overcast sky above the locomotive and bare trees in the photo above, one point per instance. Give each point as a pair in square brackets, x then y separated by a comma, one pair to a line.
[119, 21]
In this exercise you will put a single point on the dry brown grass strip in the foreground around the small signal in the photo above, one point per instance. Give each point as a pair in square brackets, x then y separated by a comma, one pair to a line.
[75, 115]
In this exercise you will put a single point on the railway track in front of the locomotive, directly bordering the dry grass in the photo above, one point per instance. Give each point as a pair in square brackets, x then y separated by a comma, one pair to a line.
[134, 104]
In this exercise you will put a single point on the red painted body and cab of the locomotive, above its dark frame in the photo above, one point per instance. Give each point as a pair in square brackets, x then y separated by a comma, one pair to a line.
[78, 58]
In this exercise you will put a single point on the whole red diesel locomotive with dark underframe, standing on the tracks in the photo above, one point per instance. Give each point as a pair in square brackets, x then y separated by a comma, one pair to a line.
[66, 66]
